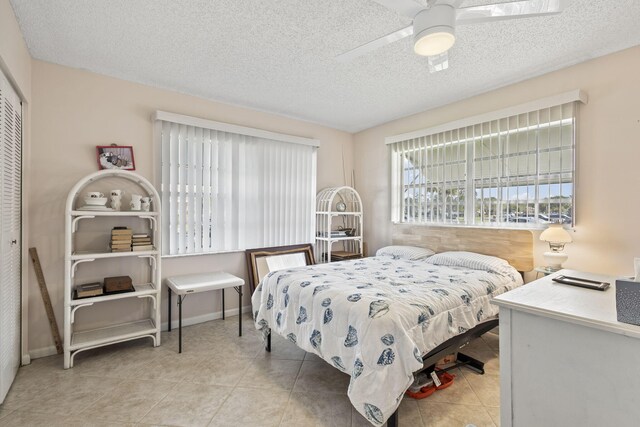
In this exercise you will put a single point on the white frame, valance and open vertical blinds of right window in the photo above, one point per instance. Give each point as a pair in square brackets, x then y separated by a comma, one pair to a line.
[471, 183]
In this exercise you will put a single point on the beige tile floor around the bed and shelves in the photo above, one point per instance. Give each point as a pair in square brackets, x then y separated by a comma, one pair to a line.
[223, 380]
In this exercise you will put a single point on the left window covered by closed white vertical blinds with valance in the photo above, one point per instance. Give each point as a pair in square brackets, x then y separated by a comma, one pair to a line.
[228, 188]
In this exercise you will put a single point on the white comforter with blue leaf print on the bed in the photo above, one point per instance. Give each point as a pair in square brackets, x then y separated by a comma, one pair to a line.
[374, 318]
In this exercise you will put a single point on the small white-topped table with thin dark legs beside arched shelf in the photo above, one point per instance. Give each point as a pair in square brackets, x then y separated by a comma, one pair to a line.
[202, 282]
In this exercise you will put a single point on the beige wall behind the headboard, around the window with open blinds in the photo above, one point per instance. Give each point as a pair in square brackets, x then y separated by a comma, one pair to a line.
[607, 235]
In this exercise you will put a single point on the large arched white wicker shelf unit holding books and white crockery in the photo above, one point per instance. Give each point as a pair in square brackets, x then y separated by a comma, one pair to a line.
[81, 339]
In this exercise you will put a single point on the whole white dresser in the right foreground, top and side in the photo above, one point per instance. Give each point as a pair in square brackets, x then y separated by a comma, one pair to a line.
[564, 358]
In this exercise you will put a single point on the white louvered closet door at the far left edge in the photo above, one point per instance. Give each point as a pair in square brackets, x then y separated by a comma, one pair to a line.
[10, 231]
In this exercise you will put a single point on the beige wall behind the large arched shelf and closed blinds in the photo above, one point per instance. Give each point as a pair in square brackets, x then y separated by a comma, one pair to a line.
[73, 111]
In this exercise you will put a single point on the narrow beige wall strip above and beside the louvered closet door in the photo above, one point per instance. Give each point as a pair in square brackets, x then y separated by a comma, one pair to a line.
[15, 63]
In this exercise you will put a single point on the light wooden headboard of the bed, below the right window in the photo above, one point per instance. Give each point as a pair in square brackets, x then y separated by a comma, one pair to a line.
[514, 246]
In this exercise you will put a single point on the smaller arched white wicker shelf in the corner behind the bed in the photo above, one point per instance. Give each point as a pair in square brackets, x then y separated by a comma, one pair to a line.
[338, 209]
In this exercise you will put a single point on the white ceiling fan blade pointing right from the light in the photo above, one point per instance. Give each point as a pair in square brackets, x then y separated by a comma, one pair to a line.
[511, 10]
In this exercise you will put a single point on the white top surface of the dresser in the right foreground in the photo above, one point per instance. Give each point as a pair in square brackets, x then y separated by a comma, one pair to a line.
[587, 307]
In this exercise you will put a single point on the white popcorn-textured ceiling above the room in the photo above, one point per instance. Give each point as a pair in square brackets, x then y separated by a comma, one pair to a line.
[278, 55]
